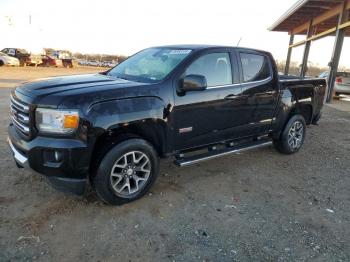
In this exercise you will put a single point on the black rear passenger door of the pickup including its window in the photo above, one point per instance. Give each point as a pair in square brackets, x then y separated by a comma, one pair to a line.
[259, 90]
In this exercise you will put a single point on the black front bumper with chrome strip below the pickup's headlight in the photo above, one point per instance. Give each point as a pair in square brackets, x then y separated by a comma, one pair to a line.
[69, 173]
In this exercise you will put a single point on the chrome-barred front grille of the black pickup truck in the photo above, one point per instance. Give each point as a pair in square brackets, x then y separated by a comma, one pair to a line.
[20, 116]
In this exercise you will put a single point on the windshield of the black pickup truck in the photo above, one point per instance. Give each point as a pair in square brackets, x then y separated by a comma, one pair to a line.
[150, 65]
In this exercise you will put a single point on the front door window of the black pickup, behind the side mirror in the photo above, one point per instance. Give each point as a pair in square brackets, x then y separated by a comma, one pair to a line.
[216, 68]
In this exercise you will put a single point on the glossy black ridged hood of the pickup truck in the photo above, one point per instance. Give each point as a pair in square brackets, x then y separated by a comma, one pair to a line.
[82, 91]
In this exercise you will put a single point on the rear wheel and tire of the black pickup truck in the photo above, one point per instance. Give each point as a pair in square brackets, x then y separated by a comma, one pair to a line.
[292, 137]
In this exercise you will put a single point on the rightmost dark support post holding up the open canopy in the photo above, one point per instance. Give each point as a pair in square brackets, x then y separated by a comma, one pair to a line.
[338, 44]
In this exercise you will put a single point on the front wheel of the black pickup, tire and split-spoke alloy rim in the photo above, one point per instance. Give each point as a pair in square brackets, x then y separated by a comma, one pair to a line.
[126, 172]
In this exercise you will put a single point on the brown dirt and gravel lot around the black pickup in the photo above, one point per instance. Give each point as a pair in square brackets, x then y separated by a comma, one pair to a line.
[253, 206]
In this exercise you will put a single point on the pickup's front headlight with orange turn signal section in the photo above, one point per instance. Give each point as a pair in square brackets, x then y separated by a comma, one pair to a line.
[56, 121]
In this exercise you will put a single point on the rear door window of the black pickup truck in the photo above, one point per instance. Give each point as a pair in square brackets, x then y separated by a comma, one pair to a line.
[255, 67]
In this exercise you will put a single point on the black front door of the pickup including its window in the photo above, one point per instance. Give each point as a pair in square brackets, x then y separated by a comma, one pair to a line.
[211, 115]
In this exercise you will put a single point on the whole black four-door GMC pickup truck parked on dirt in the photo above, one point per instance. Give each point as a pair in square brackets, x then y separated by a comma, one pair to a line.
[191, 102]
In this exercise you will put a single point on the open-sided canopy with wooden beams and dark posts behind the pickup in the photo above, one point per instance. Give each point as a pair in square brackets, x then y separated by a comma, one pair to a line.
[316, 19]
